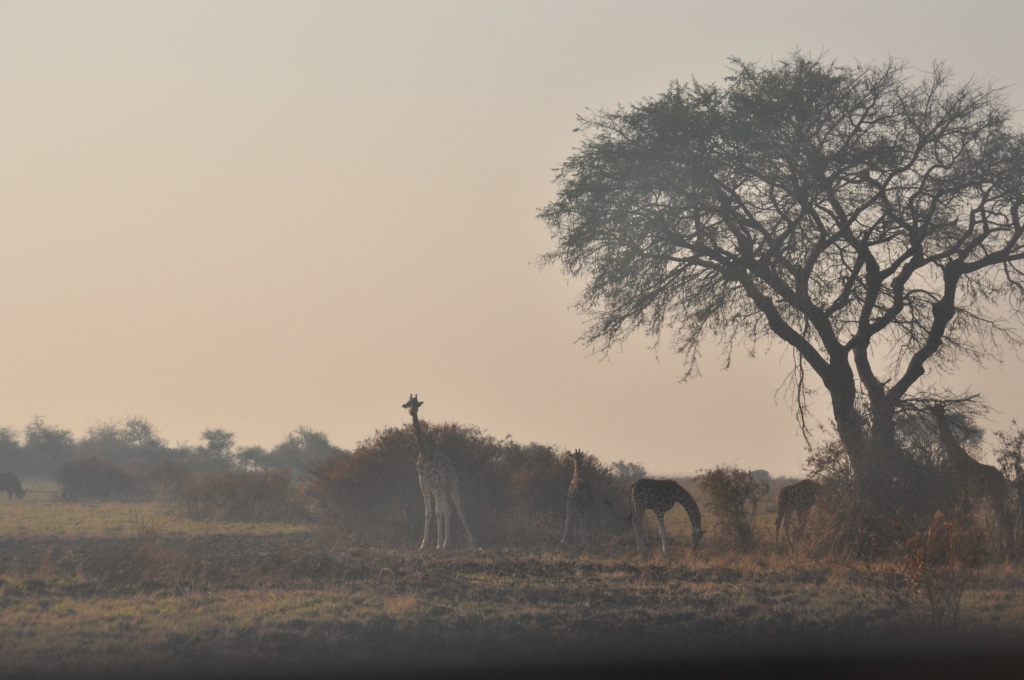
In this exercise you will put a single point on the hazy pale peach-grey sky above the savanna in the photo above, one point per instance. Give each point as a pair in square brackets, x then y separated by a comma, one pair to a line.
[255, 217]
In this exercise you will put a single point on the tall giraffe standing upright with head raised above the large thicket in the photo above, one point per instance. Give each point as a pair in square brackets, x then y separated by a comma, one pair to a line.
[438, 479]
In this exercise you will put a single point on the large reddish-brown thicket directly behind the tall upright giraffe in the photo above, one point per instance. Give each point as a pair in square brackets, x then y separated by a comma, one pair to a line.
[514, 495]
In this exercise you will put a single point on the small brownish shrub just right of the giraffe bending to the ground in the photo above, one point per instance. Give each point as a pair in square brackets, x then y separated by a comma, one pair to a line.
[734, 496]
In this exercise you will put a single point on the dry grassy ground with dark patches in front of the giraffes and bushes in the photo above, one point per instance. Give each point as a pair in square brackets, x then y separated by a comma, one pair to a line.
[138, 589]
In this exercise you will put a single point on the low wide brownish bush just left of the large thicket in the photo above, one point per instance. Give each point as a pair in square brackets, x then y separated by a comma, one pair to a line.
[242, 496]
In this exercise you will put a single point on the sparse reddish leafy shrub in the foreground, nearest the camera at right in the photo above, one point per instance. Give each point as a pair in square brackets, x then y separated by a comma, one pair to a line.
[931, 572]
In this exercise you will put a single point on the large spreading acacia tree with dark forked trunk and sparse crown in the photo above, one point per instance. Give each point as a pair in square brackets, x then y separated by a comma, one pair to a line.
[869, 220]
